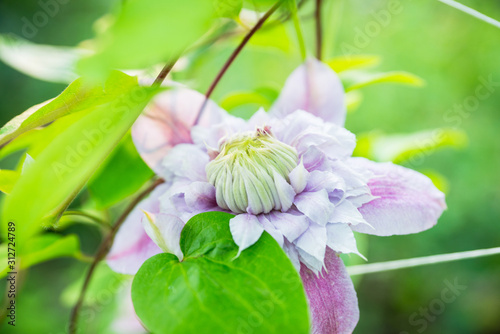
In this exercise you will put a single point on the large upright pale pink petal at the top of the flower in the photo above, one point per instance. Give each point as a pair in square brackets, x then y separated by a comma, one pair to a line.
[313, 87]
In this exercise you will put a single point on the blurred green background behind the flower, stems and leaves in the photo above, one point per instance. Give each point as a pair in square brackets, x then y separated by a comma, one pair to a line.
[453, 52]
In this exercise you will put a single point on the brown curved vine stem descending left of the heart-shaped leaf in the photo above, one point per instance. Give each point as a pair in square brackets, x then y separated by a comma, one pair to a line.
[103, 250]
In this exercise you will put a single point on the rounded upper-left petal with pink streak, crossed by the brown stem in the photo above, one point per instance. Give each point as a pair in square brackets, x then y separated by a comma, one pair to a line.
[167, 122]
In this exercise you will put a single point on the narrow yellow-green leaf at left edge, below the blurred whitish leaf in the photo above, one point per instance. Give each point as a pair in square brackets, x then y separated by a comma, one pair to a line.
[77, 97]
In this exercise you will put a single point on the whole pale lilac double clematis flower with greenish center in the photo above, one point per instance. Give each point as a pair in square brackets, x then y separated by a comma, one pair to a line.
[289, 172]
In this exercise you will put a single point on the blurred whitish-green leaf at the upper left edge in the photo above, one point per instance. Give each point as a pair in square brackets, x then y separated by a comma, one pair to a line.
[44, 62]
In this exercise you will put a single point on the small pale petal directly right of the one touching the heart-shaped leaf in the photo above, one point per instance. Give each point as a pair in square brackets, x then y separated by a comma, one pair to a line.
[291, 224]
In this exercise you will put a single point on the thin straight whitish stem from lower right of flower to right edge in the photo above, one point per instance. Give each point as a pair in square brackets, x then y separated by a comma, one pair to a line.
[419, 261]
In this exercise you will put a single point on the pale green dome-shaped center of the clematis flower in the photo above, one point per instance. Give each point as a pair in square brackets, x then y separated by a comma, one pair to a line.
[248, 172]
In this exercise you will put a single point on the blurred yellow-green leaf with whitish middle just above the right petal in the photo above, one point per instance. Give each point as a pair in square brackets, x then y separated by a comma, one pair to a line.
[403, 147]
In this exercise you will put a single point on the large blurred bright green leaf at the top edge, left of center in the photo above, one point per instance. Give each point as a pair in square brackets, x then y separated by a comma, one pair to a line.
[149, 32]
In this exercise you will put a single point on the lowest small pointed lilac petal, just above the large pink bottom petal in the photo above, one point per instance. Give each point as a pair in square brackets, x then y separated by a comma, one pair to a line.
[312, 246]
